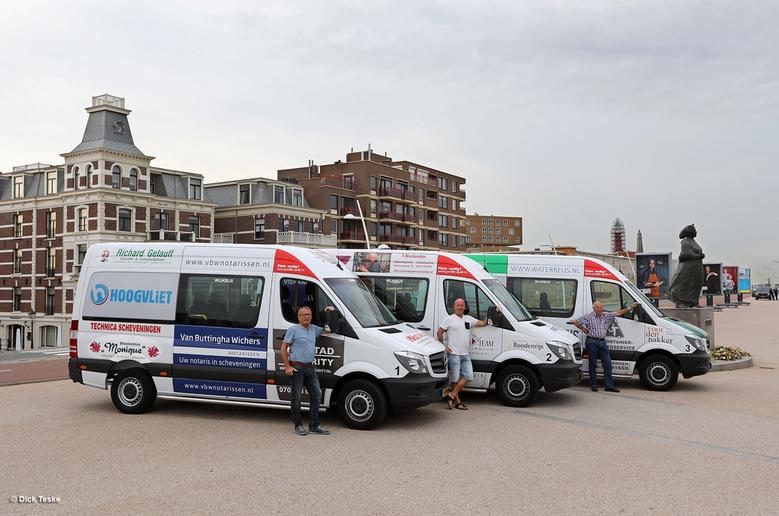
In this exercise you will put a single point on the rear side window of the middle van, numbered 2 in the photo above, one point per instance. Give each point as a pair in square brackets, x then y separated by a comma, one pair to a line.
[405, 297]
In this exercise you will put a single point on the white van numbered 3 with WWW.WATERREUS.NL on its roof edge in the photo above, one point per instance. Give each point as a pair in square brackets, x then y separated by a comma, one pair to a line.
[645, 340]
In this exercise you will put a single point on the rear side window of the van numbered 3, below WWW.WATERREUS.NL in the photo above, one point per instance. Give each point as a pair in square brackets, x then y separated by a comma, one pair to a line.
[545, 297]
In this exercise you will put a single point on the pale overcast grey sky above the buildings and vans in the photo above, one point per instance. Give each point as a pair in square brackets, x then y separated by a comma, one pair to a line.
[569, 114]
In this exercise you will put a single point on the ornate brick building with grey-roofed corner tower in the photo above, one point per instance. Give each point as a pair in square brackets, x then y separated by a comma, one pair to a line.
[105, 191]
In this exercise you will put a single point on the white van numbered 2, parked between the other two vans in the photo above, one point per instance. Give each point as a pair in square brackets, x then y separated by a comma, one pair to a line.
[515, 353]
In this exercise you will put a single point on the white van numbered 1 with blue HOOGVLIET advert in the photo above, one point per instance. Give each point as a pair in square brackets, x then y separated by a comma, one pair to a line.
[206, 322]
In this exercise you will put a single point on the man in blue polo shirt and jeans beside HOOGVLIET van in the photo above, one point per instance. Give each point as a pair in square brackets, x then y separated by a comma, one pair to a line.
[297, 352]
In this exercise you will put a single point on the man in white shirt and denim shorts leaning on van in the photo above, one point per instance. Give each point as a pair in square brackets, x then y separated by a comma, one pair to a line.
[457, 328]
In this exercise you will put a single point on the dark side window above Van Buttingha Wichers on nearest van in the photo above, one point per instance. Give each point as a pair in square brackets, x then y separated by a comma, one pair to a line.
[217, 300]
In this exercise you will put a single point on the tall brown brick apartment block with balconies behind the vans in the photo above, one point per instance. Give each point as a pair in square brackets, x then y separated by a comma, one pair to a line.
[405, 205]
